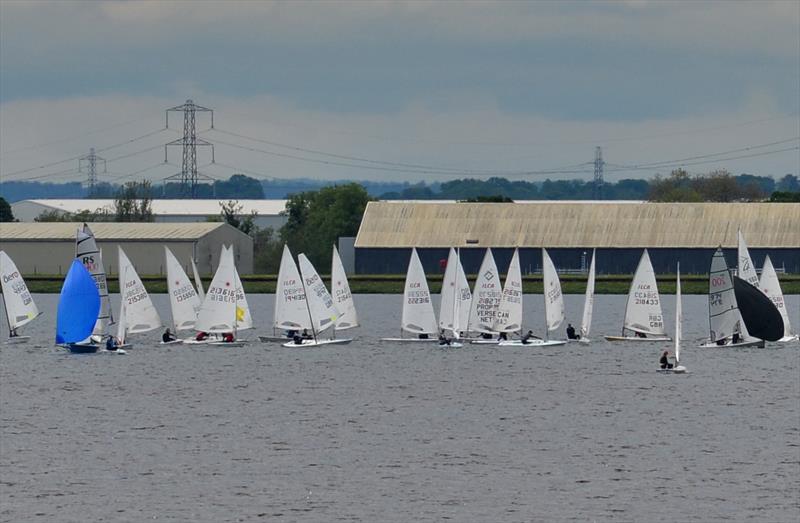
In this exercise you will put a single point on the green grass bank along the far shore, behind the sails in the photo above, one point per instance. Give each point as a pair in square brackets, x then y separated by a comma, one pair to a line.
[393, 283]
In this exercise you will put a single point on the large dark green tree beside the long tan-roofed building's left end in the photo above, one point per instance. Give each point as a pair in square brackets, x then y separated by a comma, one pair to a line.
[316, 219]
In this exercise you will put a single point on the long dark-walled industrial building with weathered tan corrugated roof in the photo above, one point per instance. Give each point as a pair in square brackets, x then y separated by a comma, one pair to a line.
[672, 232]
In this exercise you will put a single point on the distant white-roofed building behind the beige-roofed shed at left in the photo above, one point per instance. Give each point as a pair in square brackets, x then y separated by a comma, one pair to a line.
[268, 212]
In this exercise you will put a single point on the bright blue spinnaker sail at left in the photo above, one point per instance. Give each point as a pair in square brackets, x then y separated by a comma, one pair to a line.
[78, 305]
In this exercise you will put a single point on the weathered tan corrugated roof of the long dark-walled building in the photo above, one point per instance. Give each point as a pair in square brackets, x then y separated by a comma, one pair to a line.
[594, 224]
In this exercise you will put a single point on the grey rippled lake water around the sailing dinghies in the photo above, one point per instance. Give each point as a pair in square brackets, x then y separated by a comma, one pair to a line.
[386, 432]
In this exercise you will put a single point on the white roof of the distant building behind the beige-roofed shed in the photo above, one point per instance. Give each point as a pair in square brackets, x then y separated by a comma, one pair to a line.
[165, 207]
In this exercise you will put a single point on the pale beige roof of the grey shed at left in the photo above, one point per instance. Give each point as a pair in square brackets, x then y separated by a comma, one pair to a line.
[108, 231]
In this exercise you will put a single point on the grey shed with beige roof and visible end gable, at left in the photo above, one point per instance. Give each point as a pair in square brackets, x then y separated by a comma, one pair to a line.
[49, 248]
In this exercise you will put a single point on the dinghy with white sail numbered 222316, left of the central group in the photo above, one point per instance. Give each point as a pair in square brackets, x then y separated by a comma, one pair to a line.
[418, 316]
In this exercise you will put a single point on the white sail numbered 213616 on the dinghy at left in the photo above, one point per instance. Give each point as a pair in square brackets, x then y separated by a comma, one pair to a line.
[218, 310]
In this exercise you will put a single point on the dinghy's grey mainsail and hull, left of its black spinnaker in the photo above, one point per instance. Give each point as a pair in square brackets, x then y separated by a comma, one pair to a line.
[725, 321]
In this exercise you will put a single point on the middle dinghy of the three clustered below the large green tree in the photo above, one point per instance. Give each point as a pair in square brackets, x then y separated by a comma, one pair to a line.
[321, 311]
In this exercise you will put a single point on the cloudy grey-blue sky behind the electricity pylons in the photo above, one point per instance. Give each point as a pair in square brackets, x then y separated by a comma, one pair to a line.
[400, 91]
